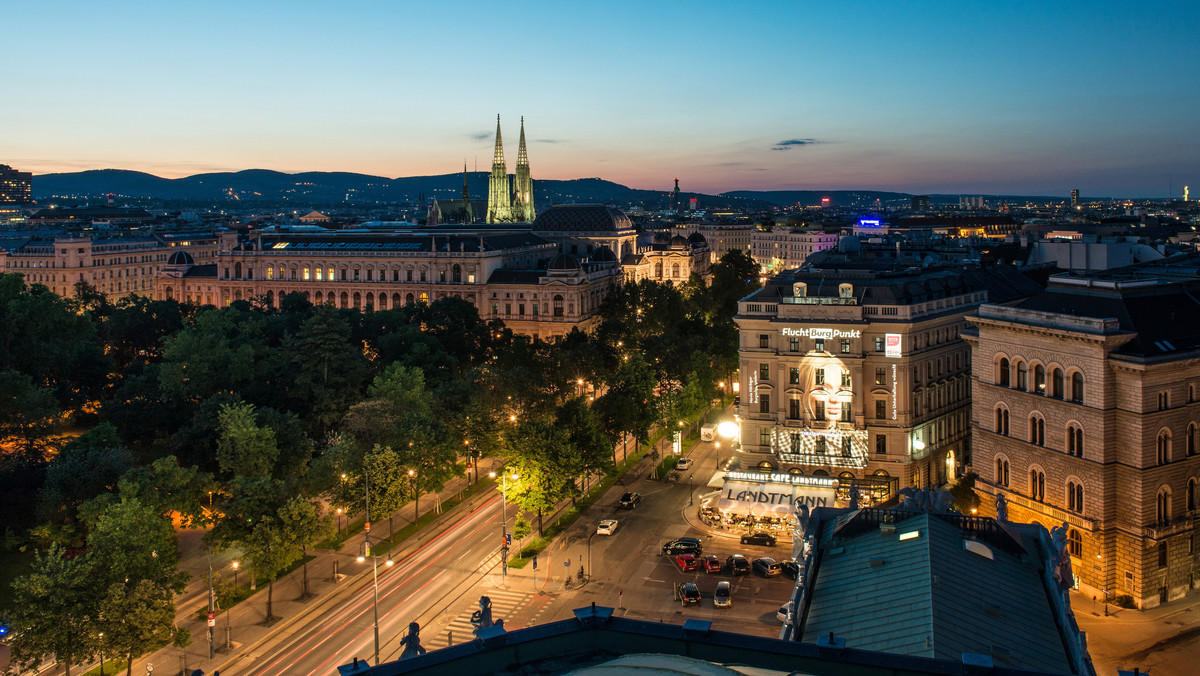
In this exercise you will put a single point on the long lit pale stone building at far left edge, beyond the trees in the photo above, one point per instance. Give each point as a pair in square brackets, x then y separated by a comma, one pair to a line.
[115, 266]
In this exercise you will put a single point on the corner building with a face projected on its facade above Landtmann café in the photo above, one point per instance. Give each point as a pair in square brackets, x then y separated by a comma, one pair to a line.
[853, 368]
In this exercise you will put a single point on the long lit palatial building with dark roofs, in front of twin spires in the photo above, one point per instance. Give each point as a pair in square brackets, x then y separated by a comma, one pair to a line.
[542, 280]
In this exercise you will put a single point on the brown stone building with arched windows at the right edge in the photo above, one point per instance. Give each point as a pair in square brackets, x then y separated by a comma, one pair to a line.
[1085, 410]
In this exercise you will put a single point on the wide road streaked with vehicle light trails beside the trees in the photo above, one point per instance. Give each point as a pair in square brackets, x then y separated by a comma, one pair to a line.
[421, 585]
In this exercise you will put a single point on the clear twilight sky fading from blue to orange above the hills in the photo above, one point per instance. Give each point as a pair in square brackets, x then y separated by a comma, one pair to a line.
[919, 97]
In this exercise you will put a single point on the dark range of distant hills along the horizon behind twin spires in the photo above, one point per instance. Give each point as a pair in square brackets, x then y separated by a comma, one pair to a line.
[319, 189]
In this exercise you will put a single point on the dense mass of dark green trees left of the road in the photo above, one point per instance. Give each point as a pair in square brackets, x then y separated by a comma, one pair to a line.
[256, 421]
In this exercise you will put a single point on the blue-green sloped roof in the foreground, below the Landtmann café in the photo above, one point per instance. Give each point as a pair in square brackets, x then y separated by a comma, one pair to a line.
[929, 597]
